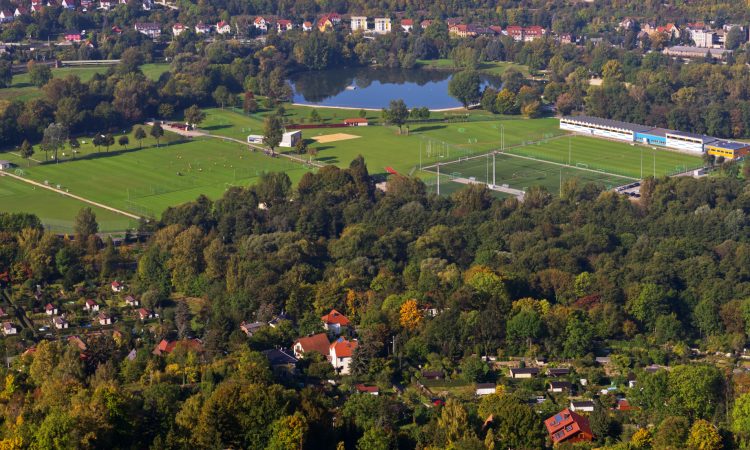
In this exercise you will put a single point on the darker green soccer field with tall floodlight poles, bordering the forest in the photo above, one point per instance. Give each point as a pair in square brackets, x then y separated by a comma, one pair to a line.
[523, 173]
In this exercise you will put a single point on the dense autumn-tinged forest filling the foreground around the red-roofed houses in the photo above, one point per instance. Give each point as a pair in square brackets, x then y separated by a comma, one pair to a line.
[569, 278]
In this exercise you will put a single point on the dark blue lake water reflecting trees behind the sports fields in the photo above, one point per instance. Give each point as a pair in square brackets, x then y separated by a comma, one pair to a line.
[375, 88]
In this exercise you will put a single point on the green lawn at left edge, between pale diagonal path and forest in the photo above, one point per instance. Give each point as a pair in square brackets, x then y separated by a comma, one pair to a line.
[56, 210]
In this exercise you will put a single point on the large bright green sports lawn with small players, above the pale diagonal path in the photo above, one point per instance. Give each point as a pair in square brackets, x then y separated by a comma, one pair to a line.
[148, 180]
